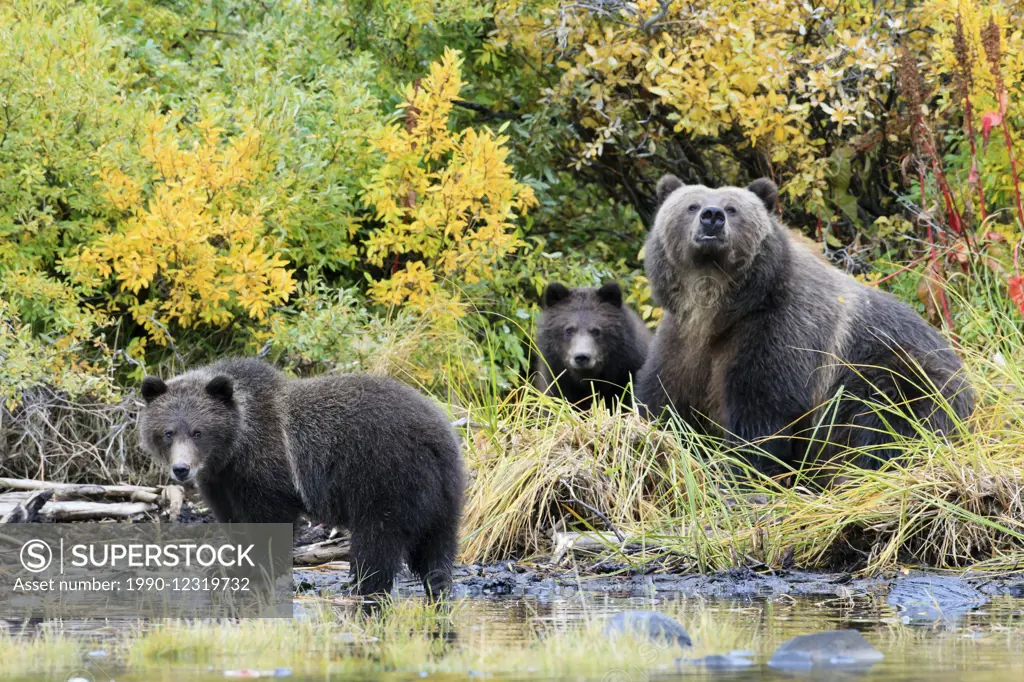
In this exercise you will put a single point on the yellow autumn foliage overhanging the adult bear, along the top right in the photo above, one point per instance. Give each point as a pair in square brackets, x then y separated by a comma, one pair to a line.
[786, 89]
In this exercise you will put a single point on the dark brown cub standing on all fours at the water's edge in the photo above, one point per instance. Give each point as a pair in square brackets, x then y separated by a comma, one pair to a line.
[365, 453]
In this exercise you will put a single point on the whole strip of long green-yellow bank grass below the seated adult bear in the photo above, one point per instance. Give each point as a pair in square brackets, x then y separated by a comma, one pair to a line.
[539, 466]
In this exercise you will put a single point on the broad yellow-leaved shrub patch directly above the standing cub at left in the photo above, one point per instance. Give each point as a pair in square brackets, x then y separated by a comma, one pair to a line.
[195, 251]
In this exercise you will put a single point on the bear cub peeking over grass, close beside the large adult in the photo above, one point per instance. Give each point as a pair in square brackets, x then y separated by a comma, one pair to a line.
[591, 345]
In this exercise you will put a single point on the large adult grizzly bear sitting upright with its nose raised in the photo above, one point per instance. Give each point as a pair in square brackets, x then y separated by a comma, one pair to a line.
[759, 333]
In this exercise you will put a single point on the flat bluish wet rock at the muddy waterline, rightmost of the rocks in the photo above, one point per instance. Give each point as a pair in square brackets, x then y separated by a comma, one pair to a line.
[932, 599]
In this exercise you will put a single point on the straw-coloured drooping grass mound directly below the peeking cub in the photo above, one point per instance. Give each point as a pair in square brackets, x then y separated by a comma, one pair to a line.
[547, 465]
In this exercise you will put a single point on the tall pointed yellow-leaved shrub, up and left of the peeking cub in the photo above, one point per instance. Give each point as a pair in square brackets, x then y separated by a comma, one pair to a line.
[446, 200]
